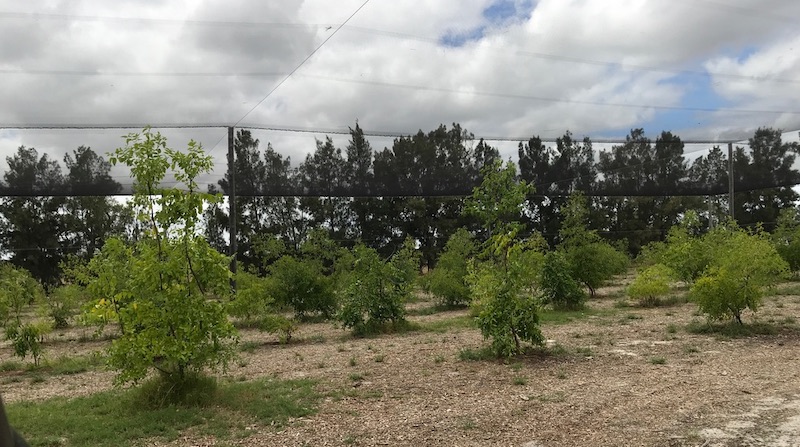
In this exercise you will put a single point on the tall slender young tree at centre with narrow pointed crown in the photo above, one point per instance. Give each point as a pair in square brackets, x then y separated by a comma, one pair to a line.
[497, 283]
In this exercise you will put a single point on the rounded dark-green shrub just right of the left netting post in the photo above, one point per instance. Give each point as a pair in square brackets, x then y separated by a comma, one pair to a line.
[301, 285]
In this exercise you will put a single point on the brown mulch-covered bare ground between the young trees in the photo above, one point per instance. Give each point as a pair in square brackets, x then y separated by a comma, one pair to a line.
[623, 377]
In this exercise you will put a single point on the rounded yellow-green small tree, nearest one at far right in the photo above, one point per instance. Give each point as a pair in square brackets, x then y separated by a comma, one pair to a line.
[743, 266]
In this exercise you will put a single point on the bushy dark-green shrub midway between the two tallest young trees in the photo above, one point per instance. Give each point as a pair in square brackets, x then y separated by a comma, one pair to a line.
[376, 291]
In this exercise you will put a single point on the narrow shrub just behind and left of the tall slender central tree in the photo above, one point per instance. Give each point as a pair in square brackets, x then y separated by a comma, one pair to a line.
[448, 280]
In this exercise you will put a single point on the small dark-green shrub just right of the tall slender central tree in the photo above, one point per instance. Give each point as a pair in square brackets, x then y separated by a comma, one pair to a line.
[559, 288]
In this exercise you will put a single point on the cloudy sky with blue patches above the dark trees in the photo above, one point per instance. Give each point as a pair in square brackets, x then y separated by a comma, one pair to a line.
[704, 69]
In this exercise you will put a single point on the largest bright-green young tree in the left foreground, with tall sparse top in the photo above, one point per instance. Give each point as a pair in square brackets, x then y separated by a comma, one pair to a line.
[172, 322]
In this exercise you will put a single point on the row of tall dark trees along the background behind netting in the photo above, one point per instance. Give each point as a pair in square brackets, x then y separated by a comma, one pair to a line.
[416, 188]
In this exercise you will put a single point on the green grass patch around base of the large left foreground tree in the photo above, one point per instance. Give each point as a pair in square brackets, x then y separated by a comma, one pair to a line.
[118, 418]
